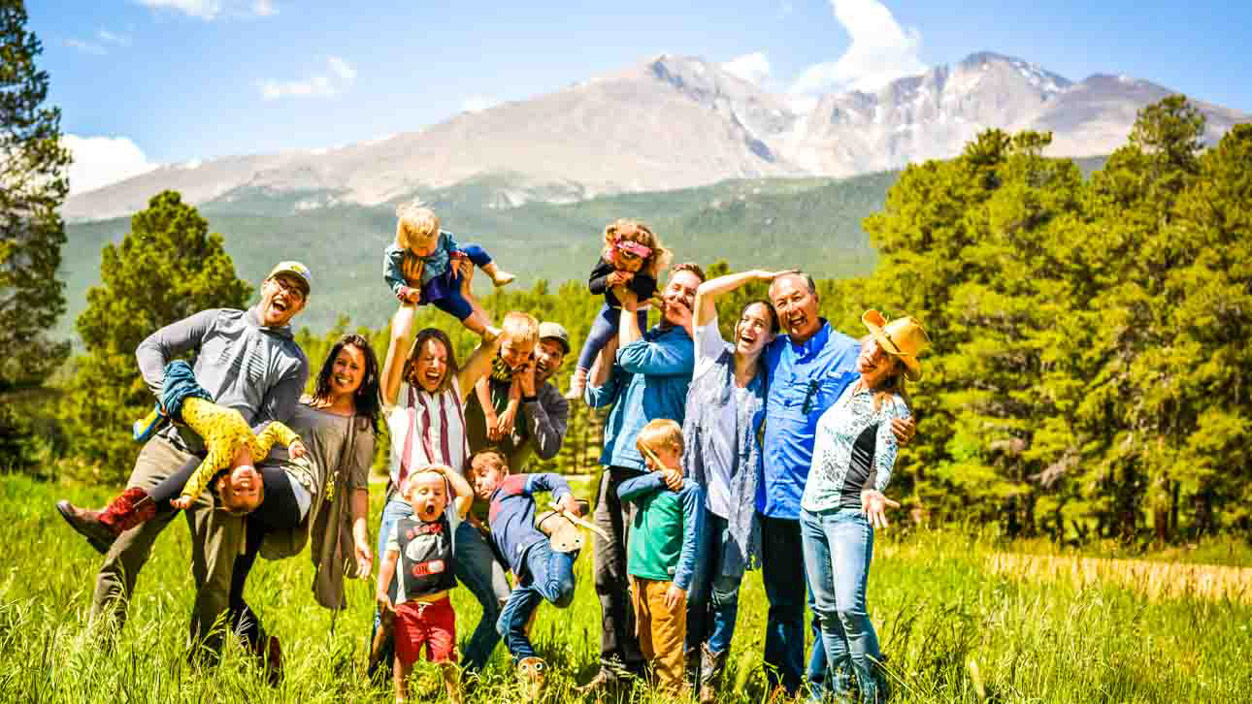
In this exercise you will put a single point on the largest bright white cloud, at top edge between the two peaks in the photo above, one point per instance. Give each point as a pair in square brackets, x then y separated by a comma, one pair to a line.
[880, 53]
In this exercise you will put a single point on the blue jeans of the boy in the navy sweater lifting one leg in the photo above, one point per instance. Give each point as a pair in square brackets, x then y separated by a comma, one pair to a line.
[548, 576]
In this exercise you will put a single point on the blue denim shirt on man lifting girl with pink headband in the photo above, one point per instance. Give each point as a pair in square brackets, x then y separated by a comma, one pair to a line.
[649, 381]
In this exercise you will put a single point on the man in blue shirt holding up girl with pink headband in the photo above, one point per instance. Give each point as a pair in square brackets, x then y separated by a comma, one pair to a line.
[649, 381]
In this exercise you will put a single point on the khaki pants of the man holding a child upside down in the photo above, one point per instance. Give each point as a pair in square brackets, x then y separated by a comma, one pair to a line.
[217, 538]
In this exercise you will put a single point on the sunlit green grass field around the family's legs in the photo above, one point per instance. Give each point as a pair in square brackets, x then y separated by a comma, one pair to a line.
[953, 632]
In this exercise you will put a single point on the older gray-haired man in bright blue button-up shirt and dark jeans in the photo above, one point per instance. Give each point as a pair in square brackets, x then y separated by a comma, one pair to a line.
[809, 368]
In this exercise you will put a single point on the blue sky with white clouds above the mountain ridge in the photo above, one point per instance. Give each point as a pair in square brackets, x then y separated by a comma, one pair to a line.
[148, 82]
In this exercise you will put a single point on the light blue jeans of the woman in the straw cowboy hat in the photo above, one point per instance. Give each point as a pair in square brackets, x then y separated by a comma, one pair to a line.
[838, 549]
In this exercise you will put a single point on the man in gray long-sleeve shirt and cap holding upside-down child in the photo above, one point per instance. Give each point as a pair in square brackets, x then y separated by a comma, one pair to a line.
[249, 361]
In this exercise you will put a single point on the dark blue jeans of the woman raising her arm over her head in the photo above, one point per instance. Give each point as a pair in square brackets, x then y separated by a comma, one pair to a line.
[713, 599]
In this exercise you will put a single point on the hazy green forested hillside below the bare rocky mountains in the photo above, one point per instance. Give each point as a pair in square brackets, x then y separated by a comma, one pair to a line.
[814, 224]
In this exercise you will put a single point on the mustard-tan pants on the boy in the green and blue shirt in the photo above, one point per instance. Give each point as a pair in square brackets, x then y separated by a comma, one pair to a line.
[662, 632]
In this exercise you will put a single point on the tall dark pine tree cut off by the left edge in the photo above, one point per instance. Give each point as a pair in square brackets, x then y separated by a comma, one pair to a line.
[33, 186]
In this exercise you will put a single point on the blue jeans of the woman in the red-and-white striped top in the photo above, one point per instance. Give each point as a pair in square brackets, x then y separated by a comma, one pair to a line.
[476, 568]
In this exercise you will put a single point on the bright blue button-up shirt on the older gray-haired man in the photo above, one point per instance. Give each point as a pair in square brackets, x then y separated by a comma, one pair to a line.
[806, 380]
